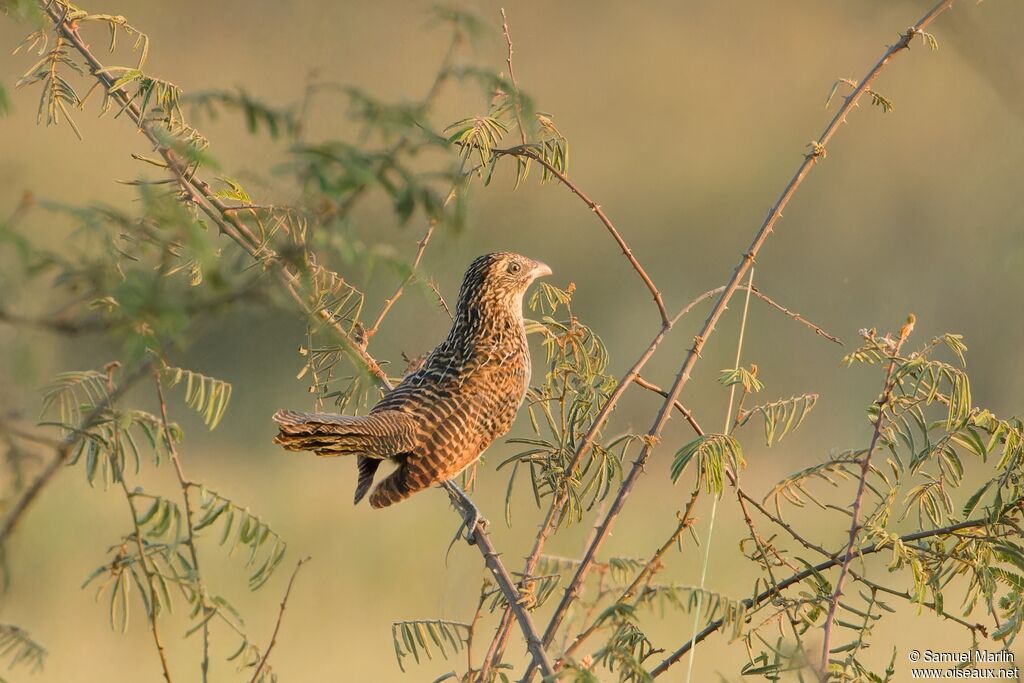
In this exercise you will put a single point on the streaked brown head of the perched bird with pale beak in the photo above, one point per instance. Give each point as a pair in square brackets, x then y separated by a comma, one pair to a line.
[499, 280]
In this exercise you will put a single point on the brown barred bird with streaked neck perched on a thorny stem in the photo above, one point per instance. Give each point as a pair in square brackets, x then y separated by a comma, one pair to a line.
[442, 417]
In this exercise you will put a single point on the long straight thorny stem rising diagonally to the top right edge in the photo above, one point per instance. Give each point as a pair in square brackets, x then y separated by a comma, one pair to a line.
[745, 265]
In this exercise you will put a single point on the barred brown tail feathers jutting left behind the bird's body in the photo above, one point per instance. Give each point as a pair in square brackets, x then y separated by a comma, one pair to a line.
[380, 435]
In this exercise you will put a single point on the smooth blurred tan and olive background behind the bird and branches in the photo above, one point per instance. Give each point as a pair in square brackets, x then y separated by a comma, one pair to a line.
[686, 122]
